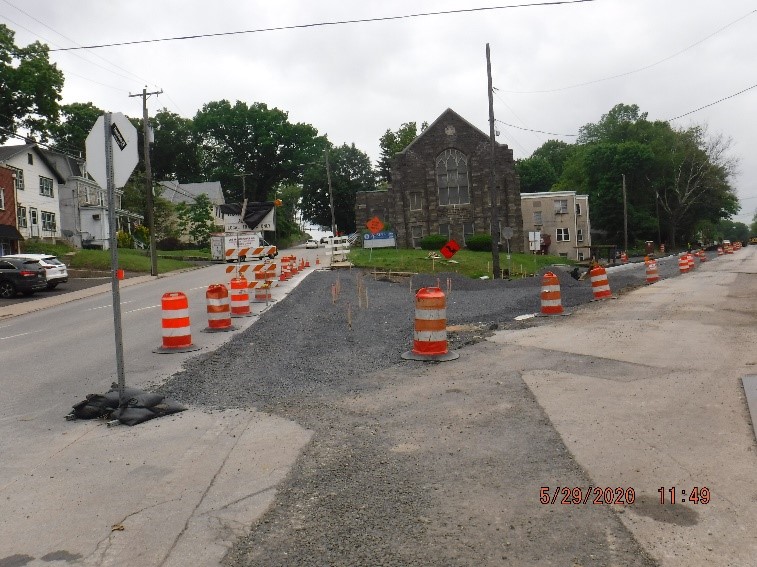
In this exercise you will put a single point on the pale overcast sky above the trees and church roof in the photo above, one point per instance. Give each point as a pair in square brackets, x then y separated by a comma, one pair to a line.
[555, 68]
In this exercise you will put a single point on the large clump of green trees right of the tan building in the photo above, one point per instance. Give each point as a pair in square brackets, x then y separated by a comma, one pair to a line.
[675, 178]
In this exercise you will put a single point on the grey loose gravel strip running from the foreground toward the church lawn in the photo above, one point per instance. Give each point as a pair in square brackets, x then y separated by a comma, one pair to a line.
[328, 357]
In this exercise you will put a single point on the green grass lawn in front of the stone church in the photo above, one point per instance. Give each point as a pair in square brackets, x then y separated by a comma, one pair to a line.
[471, 264]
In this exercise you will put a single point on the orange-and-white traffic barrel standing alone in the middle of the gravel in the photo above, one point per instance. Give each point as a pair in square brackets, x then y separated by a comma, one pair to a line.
[430, 333]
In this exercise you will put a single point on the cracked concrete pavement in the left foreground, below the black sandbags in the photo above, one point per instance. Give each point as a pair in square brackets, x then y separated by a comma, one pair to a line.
[173, 491]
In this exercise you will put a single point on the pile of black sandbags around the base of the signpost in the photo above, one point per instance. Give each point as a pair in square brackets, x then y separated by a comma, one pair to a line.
[140, 406]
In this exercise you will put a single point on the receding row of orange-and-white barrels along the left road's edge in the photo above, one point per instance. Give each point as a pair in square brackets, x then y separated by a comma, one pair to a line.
[223, 303]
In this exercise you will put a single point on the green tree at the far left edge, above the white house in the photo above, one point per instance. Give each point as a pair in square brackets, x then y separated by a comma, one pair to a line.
[30, 87]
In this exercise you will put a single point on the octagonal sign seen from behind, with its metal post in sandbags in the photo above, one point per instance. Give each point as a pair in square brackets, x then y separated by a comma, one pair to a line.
[111, 157]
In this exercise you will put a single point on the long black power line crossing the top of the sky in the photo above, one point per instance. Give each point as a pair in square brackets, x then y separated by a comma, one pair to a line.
[324, 24]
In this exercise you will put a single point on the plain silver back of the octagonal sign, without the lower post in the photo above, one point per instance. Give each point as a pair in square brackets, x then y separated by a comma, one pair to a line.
[123, 139]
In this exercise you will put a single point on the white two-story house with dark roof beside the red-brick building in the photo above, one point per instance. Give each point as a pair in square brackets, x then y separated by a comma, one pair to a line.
[36, 186]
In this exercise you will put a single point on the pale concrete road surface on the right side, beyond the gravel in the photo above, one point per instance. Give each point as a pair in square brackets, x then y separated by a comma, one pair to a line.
[648, 395]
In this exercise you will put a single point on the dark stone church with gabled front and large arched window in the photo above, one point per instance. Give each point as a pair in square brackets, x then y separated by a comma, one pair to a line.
[440, 185]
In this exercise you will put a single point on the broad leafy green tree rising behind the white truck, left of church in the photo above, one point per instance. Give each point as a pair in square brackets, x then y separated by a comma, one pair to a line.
[255, 141]
